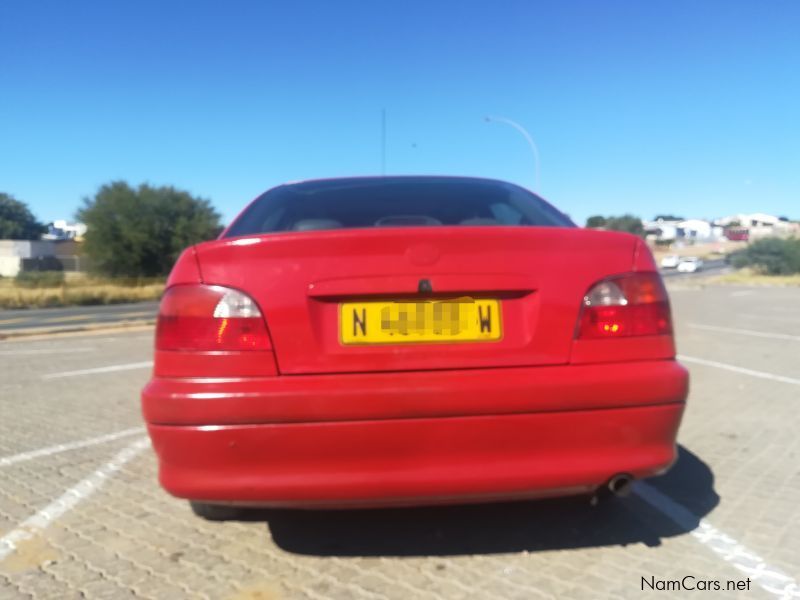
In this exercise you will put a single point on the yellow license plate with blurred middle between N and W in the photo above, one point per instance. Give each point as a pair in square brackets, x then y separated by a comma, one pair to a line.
[457, 320]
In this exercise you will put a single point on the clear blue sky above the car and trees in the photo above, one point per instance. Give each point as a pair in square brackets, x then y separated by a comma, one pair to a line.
[646, 107]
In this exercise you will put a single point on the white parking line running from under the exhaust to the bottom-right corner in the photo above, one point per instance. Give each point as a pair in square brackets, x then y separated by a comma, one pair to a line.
[771, 579]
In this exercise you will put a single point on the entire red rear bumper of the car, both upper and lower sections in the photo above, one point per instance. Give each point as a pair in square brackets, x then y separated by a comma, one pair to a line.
[545, 436]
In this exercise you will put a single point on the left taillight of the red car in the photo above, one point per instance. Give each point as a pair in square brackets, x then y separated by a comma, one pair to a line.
[209, 317]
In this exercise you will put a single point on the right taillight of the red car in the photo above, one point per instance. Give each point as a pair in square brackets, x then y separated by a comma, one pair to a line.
[633, 304]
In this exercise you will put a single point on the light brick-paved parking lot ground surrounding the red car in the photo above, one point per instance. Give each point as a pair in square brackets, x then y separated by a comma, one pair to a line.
[81, 513]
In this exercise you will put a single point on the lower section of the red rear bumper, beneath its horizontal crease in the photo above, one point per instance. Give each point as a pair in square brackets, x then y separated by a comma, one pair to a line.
[415, 461]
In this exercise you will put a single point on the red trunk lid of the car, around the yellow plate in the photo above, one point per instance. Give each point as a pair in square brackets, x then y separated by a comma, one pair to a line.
[300, 280]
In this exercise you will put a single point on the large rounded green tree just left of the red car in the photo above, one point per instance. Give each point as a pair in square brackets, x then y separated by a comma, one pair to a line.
[137, 232]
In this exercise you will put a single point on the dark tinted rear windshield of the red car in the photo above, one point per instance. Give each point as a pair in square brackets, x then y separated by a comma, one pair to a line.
[394, 202]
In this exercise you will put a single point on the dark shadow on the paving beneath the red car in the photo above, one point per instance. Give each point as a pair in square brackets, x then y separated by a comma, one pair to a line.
[560, 523]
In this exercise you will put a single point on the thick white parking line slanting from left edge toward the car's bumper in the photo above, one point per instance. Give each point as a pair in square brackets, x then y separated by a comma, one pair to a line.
[36, 523]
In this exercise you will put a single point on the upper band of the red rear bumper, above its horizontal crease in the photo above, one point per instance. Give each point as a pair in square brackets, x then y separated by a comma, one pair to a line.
[410, 394]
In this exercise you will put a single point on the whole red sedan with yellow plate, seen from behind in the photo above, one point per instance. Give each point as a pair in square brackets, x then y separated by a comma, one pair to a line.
[365, 342]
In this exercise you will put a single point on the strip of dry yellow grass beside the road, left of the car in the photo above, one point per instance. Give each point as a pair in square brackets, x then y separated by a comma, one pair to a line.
[80, 290]
